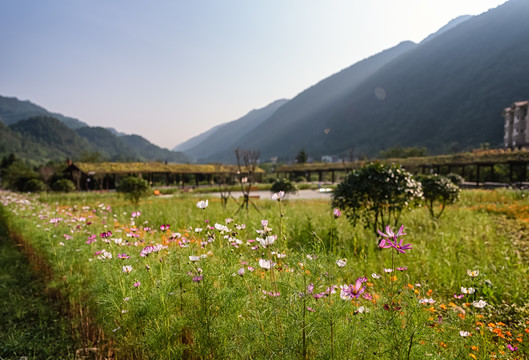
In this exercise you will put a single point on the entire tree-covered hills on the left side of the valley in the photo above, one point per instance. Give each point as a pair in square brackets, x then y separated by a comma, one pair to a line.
[38, 135]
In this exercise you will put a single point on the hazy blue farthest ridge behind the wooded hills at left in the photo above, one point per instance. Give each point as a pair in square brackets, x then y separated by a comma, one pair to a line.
[13, 110]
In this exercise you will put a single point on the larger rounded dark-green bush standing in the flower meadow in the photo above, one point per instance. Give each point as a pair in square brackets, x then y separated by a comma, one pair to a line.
[376, 194]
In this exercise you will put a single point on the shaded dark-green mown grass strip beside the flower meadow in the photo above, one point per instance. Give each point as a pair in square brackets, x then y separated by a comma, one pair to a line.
[31, 324]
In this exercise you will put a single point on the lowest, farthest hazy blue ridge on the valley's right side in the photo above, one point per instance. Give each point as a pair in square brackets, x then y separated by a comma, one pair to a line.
[223, 138]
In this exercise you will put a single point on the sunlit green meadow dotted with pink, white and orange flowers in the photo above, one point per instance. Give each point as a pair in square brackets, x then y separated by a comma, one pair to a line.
[184, 277]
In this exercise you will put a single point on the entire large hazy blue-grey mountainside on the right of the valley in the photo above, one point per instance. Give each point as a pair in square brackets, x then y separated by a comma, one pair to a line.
[446, 94]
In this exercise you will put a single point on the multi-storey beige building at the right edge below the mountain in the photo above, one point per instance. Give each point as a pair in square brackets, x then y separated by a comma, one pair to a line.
[516, 133]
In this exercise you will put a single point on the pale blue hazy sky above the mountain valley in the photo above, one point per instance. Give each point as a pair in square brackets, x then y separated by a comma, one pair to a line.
[169, 70]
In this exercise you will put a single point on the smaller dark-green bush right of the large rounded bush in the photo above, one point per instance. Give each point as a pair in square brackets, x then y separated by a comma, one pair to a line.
[438, 192]
